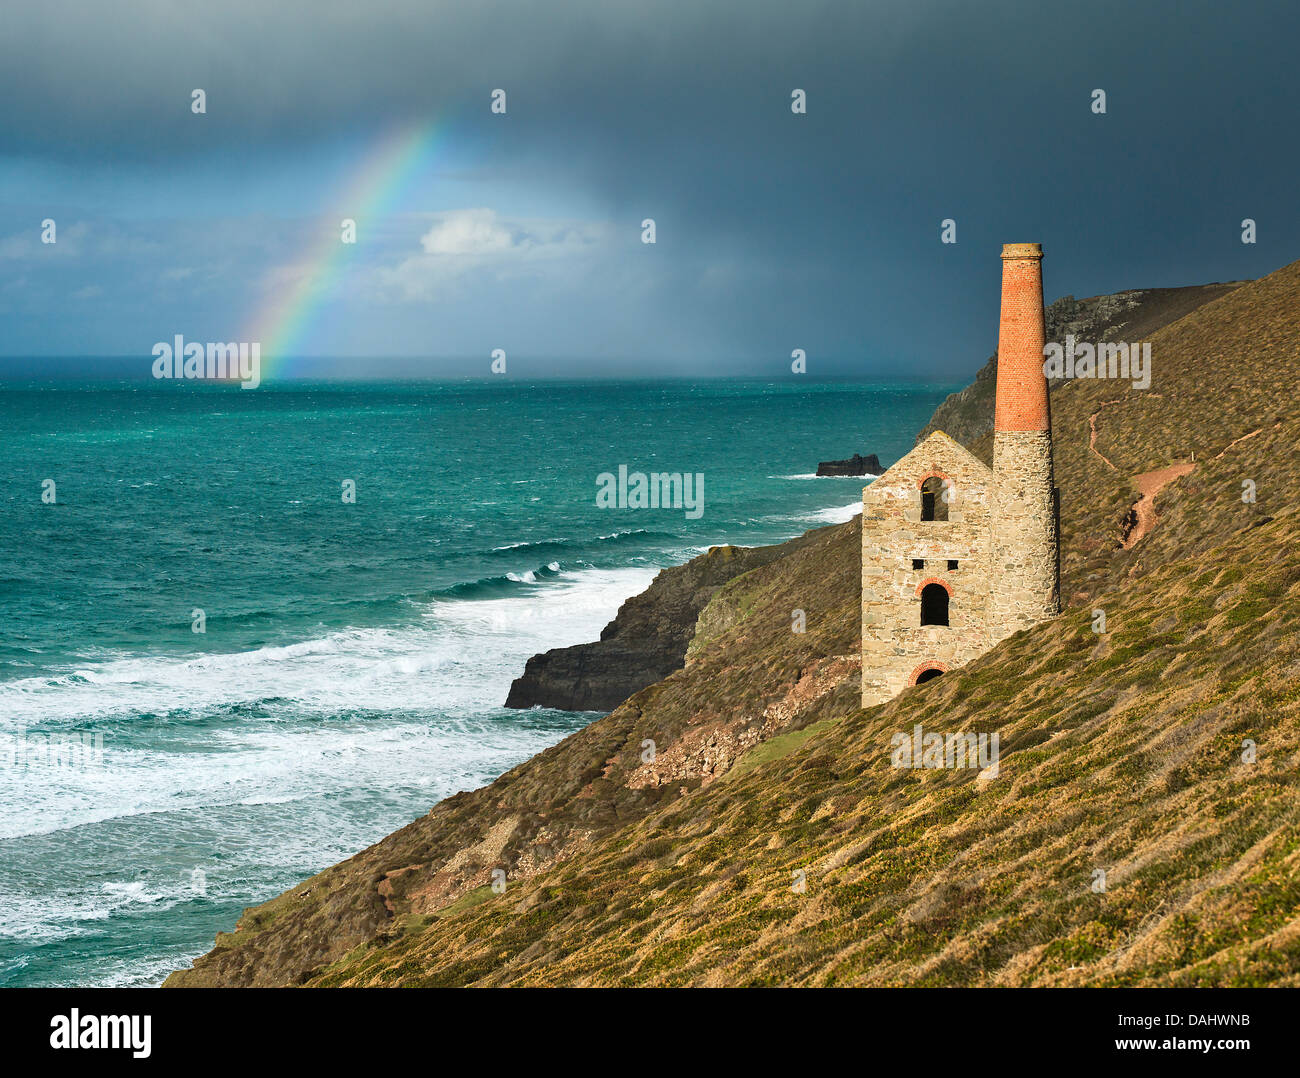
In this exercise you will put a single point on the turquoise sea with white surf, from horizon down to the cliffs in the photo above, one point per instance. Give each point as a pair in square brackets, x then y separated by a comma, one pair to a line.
[356, 656]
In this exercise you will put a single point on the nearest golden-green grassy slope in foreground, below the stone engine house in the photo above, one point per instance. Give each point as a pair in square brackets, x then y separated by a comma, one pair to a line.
[1119, 754]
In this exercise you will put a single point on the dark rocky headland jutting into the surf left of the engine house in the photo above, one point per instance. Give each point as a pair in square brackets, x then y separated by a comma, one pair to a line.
[644, 644]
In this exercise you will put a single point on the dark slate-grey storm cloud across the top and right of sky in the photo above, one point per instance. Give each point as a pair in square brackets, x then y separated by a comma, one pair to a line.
[824, 230]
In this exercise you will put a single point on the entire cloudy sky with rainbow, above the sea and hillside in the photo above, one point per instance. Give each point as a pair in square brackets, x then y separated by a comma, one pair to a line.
[523, 231]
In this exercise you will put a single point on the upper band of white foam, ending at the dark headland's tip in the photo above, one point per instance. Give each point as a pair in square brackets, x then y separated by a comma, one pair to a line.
[456, 660]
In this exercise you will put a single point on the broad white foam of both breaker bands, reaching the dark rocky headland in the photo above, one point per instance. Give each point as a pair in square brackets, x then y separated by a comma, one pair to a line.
[356, 711]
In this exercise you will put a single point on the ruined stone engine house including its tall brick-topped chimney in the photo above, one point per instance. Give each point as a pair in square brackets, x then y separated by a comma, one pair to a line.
[957, 556]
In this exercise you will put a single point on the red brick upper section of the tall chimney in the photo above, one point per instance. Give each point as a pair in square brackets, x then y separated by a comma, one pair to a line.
[1022, 389]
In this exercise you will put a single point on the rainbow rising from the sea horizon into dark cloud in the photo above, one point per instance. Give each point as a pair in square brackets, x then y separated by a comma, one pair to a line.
[287, 317]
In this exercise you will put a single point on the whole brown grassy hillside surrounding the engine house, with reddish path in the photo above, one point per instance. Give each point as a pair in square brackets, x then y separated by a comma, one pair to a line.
[1120, 752]
